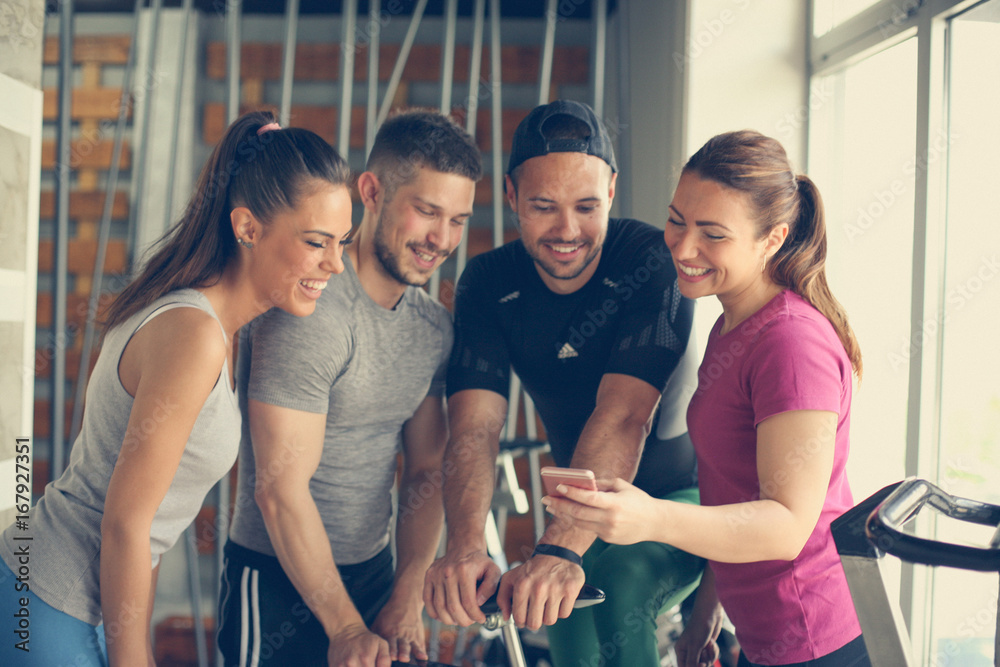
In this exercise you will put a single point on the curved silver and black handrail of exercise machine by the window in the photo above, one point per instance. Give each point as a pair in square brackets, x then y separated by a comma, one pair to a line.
[884, 527]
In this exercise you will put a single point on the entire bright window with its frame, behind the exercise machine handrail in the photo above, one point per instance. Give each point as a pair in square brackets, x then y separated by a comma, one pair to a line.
[929, 77]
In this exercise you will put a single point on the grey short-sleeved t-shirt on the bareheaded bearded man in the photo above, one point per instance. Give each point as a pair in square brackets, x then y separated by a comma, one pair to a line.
[368, 369]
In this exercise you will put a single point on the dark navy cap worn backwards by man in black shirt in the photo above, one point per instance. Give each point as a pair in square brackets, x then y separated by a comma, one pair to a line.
[529, 140]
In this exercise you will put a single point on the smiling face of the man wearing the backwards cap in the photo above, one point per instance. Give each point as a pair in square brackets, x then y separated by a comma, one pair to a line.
[563, 201]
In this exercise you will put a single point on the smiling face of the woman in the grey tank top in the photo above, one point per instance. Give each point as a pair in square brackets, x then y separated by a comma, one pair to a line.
[295, 255]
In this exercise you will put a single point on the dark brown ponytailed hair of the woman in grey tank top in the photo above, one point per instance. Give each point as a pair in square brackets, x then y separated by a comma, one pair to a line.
[267, 172]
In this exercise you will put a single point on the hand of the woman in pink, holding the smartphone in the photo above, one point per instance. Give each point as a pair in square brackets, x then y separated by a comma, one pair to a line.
[618, 512]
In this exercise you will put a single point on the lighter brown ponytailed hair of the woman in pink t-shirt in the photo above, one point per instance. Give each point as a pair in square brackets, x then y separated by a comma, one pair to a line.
[757, 165]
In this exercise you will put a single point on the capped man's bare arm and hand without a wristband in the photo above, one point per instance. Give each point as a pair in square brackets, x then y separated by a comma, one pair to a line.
[452, 589]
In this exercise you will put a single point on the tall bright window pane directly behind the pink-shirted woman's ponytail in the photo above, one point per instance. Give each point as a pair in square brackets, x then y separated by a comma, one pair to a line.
[862, 160]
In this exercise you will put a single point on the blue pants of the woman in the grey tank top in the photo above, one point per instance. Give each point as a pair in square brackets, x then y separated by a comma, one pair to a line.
[34, 634]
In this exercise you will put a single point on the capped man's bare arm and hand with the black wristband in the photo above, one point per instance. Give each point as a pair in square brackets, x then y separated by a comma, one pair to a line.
[544, 588]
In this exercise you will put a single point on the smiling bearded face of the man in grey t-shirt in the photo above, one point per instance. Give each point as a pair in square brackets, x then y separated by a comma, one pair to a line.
[422, 224]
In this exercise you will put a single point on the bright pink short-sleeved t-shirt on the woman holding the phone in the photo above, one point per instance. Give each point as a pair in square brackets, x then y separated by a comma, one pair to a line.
[785, 357]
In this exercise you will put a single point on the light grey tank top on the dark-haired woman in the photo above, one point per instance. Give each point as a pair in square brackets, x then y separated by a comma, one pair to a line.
[64, 527]
